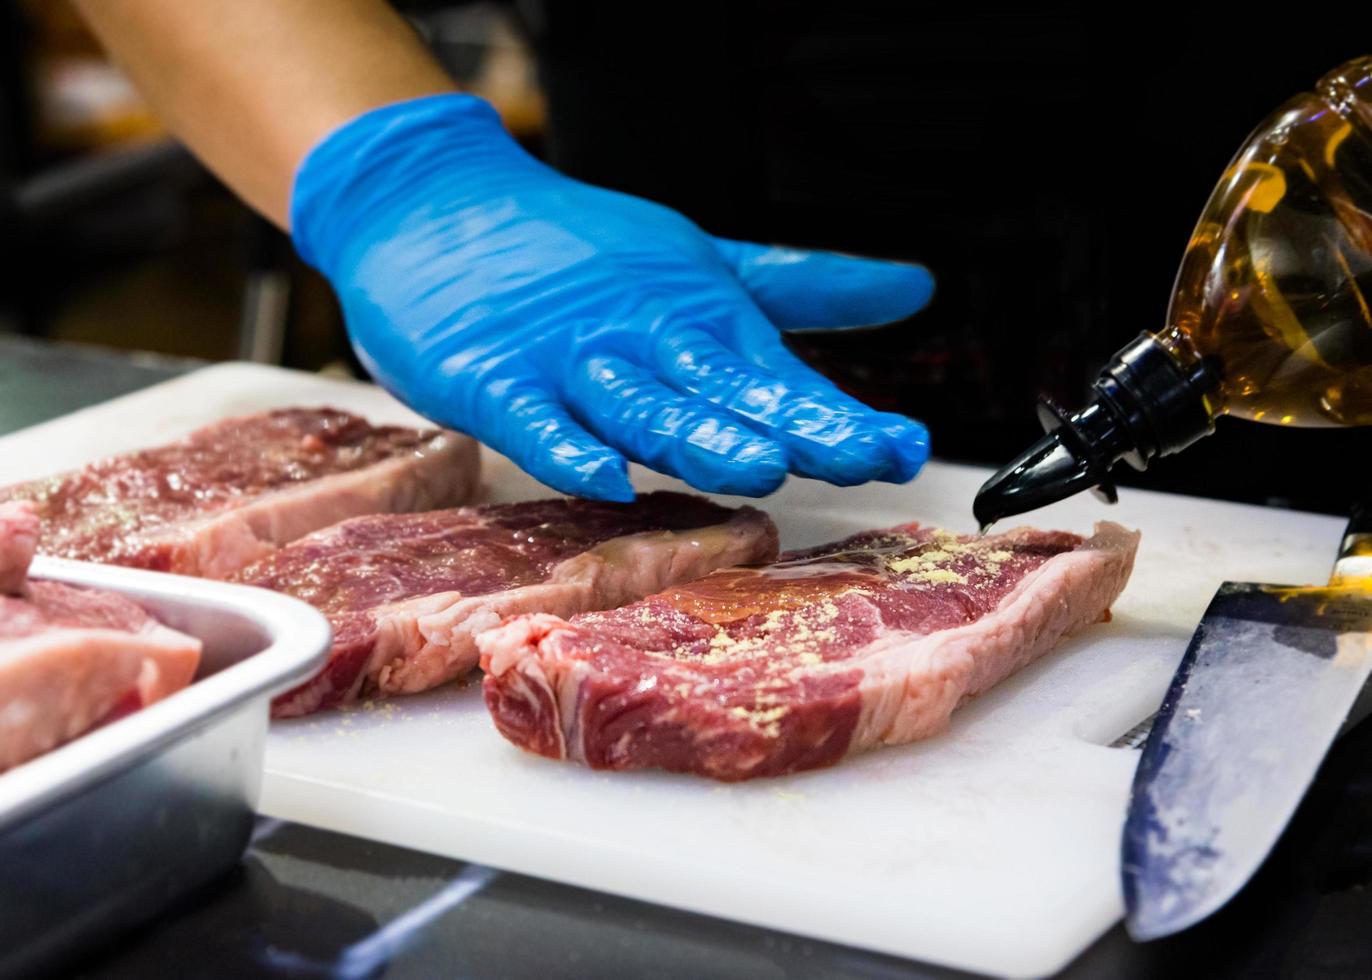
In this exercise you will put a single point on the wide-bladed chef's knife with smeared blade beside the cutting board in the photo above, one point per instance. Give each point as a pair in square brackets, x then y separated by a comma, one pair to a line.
[1267, 684]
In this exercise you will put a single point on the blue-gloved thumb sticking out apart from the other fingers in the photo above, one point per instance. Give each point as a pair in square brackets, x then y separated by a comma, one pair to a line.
[809, 290]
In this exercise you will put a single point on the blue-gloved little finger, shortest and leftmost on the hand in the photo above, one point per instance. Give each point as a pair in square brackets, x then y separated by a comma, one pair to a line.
[533, 428]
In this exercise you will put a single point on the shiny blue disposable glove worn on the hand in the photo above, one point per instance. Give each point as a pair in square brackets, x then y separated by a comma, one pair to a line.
[570, 327]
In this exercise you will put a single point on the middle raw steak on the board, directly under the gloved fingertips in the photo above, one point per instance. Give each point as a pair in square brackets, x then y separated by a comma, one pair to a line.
[407, 594]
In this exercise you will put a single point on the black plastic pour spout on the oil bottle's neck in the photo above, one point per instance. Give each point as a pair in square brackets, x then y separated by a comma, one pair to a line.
[1145, 404]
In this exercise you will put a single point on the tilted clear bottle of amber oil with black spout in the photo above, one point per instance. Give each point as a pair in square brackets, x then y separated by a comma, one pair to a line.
[1271, 318]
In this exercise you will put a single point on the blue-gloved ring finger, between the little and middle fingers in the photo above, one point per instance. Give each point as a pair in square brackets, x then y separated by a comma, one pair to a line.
[672, 433]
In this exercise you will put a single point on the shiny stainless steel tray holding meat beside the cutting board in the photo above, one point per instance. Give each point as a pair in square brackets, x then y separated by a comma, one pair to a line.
[117, 826]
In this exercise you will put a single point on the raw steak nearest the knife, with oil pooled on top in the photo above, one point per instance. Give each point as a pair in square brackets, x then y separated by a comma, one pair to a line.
[832, 651]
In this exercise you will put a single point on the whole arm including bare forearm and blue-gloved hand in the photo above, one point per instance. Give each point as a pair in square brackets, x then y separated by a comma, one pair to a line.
[567, 326]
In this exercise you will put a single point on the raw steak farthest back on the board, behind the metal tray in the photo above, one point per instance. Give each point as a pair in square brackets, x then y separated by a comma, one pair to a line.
[233, 492]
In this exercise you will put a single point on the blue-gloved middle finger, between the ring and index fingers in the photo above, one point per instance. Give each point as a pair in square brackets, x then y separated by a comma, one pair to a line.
[821, 437]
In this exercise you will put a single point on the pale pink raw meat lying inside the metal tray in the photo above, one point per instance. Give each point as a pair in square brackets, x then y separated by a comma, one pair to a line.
[73, 658]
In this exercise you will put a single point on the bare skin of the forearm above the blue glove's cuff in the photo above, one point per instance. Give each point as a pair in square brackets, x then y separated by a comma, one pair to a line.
[250, 86]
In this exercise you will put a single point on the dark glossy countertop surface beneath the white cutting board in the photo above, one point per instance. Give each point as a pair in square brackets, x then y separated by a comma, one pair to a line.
[307, 902]
